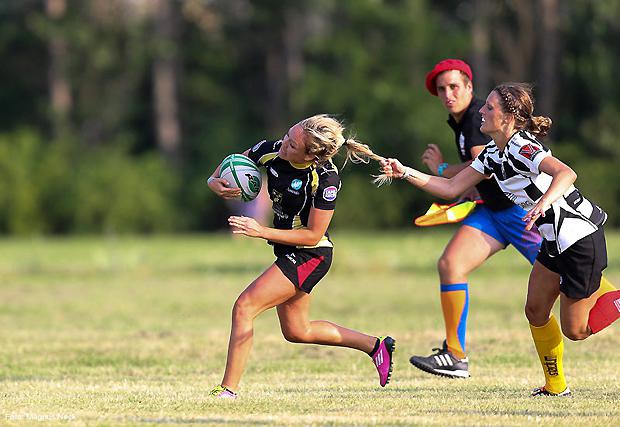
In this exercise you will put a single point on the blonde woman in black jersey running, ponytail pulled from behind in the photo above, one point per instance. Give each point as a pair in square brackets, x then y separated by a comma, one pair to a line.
[303, 184]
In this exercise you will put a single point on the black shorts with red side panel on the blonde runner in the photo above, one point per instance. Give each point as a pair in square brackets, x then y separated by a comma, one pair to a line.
[304, 267]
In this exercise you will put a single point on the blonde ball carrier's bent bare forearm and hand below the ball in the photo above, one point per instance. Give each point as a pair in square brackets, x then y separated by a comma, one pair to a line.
[318, 222]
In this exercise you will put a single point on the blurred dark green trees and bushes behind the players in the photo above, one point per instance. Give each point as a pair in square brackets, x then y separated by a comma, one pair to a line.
[113, 112]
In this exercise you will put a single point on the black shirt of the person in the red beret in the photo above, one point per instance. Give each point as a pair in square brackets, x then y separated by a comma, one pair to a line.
[467, 135]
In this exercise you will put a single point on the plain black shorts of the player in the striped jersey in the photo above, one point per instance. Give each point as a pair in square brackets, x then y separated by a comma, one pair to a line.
[580, 267]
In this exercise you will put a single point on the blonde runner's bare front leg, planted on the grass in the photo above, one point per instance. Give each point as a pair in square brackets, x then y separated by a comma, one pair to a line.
[268, 290]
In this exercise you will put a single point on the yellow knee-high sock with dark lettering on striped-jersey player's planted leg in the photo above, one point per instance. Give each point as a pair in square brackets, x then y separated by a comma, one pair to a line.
[550, 348]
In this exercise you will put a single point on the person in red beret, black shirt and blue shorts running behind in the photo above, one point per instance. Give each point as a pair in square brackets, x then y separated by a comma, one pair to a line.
[491, 227]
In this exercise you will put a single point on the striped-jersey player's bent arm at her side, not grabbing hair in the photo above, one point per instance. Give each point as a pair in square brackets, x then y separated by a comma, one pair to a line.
[563, 178]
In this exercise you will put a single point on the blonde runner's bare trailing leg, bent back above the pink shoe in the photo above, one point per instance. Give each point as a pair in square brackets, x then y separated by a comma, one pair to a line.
[296, 327]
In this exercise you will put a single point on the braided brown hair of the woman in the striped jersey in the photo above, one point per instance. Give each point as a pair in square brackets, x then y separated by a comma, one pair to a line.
[517, 99]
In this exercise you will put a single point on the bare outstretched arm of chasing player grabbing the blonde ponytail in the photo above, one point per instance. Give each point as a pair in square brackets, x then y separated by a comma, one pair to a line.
[446, 188]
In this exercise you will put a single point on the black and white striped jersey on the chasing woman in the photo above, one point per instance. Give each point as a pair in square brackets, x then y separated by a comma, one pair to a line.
[516, 170]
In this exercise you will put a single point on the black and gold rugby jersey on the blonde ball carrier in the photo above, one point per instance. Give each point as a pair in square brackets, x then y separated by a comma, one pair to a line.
[294, 189]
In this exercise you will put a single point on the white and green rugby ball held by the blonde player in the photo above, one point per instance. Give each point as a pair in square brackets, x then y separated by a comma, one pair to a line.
[241, 172]
